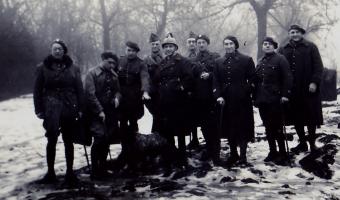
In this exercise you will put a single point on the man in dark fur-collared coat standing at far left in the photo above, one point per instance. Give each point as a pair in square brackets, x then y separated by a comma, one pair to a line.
[58, 93]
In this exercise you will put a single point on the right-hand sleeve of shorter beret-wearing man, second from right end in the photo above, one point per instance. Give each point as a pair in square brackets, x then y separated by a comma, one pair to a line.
[285, 77]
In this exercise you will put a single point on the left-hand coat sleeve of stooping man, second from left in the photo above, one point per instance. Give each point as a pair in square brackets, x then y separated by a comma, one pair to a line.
[90, 91]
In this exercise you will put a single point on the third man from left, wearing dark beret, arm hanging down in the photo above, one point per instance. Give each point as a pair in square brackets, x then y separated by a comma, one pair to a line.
[134, 83]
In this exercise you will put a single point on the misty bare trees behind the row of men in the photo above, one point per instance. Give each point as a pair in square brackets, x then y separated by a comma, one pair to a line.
[27, 28]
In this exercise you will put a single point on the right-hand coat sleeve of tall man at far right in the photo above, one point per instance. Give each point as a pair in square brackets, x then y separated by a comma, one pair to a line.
[317, 66]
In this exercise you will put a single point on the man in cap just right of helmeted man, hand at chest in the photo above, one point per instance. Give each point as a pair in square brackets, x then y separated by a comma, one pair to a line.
[204, 103]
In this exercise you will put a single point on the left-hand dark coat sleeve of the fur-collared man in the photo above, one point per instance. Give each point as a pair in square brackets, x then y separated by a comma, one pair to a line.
[38, 90]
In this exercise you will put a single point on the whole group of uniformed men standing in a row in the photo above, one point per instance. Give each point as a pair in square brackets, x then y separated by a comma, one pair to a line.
[202, 89]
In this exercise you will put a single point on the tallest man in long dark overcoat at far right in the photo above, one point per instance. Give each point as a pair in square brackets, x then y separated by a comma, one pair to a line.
[305, 105]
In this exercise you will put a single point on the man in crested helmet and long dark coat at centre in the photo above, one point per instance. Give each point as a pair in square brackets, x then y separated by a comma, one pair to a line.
[175, 86]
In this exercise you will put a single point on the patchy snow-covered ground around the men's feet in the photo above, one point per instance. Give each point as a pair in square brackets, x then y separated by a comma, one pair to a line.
[22, 161]
